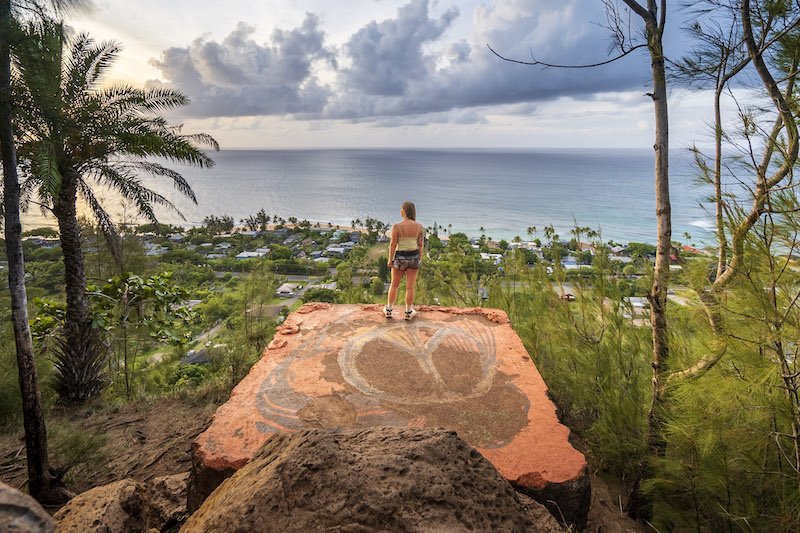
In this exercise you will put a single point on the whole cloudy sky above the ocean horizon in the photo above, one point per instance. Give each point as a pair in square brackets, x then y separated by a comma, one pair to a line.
[387, 73]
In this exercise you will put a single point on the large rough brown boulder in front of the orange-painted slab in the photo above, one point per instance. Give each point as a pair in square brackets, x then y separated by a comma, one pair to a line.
[377, 479]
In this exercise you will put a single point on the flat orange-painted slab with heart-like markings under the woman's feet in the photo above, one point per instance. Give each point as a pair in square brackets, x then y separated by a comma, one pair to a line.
[341, 366]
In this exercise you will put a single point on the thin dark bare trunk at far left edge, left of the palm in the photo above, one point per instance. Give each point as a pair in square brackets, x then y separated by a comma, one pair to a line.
[39, 478]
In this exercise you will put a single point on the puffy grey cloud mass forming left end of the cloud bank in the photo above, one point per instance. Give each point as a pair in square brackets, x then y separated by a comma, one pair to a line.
[238, 76]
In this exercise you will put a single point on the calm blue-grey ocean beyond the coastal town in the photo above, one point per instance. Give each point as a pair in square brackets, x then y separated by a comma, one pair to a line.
[502, 191]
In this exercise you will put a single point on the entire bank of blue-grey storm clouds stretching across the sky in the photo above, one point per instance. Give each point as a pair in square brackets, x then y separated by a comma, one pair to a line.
[406, 65]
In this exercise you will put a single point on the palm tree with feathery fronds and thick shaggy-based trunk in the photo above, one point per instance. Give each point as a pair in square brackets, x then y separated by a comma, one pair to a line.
[74, 136]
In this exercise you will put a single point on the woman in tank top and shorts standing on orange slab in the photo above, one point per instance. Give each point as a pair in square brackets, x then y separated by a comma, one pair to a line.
[405, 254]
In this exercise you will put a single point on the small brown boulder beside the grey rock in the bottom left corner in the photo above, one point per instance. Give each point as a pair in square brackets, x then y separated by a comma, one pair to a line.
[114, 508]
